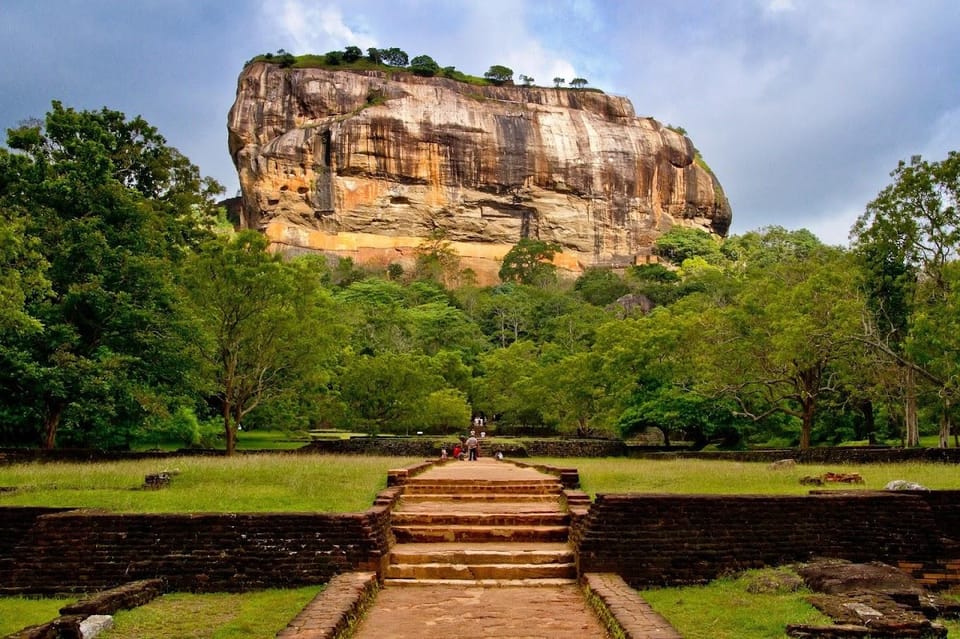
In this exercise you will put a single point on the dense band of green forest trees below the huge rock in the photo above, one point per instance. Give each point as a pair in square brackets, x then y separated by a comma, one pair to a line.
[130, 308]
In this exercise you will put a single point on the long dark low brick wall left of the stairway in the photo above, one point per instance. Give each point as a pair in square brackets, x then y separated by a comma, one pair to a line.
[84, 551]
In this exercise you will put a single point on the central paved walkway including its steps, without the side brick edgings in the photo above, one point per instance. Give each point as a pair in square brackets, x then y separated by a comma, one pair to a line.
[482, 492]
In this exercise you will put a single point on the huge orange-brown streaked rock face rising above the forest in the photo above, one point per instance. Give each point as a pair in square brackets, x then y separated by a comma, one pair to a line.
[367, 164]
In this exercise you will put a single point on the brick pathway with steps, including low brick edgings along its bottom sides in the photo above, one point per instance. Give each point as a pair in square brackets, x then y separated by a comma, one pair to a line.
[482, 553]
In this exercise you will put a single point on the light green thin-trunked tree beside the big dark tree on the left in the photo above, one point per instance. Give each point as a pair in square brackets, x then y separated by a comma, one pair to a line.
[265, 326]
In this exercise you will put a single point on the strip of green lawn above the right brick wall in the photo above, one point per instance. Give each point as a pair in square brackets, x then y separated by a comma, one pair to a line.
[693, 476]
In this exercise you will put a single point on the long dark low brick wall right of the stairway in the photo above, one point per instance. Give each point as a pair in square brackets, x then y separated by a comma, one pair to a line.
[687, 539]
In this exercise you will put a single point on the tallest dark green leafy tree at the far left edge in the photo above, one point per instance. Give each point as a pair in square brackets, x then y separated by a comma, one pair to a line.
[103, 209]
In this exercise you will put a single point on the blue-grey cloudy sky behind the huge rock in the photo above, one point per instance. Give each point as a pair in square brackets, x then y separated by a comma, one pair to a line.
[801, 107]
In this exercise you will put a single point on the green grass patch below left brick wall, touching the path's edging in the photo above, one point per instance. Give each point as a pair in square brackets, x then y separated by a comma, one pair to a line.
[212, 616]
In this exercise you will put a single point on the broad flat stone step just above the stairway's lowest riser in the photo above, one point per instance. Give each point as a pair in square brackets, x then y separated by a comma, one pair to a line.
[491, 553]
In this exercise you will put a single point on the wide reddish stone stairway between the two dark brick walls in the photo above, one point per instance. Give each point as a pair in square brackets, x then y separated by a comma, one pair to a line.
[485, 523]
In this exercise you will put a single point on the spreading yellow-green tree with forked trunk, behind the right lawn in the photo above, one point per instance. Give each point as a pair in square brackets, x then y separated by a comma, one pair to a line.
[776, 348]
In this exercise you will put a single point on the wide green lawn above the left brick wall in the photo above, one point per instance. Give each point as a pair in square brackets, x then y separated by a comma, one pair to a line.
[245, 483]
